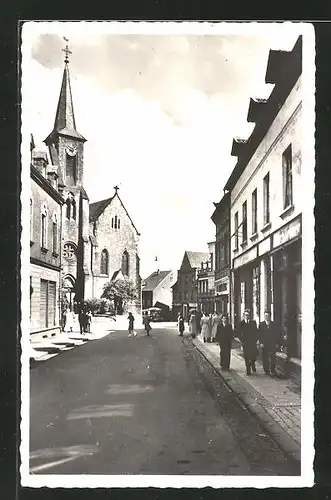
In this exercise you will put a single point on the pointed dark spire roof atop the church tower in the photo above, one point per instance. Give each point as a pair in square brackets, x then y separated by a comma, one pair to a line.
[65, 123]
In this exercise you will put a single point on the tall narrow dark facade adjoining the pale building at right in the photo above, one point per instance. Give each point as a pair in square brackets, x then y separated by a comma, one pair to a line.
[221, 219]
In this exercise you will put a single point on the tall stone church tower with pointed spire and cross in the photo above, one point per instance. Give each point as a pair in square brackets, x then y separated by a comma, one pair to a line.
[66, 149]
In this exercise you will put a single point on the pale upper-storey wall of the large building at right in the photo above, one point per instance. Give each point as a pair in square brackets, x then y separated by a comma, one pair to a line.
[285, 130]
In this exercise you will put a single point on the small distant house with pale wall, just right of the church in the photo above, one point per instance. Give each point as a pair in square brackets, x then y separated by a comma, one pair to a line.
[157, 289]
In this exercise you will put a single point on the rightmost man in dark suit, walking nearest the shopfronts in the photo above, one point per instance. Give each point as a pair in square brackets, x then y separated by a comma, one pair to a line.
[269, 339]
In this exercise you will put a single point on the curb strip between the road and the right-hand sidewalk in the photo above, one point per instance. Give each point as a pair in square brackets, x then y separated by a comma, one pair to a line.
[285, 442]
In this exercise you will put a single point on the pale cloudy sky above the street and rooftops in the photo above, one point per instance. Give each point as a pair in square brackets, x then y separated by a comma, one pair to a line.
[159, 112]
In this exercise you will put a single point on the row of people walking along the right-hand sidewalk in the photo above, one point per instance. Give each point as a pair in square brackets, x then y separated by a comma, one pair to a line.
[216, 328]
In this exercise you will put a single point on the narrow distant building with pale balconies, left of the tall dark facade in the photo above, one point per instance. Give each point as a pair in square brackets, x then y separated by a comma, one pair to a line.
[206, 283]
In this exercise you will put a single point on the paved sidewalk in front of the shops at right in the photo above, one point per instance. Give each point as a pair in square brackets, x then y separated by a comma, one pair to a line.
[274, 401]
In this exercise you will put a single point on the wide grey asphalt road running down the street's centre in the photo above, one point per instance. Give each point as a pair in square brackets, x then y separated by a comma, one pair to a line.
[142, 405]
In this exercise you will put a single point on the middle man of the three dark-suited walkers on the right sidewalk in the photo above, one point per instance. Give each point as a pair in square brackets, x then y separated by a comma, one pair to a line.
[248, 337]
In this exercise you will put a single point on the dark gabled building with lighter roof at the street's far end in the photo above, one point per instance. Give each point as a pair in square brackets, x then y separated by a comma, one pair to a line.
[185, 291]
